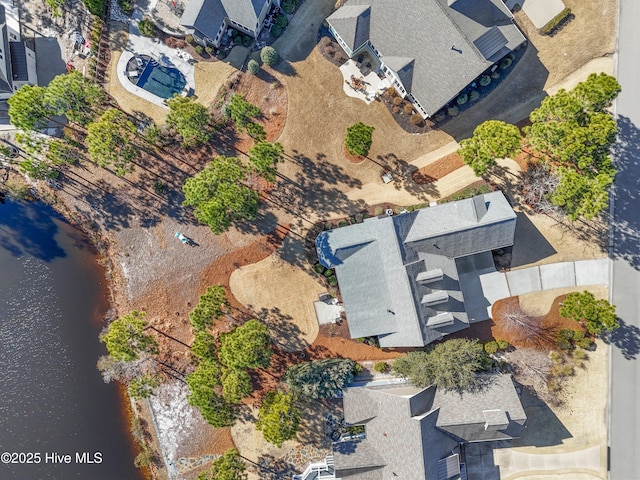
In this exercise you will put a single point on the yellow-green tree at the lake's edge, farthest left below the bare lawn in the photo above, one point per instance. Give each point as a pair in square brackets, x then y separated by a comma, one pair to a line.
[125, 338]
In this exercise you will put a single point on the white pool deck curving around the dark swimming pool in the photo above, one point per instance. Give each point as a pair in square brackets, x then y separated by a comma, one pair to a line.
[169, 57]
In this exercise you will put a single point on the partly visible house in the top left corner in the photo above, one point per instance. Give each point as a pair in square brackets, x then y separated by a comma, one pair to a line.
[17, 60]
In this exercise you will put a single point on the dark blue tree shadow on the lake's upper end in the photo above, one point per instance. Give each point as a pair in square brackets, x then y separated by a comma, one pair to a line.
[30, 229]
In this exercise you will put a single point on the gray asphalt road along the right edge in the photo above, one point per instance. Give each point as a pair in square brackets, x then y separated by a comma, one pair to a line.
[624, 427]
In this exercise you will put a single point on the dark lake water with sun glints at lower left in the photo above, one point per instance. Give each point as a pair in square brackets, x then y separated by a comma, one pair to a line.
[53, 401]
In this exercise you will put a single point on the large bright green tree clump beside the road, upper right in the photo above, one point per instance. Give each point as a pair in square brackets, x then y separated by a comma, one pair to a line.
[574, 133]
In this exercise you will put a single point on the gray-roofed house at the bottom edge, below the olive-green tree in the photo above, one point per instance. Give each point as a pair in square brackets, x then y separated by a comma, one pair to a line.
[416, 433]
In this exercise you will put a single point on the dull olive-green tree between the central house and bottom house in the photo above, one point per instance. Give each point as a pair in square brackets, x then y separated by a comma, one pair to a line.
[451, 365]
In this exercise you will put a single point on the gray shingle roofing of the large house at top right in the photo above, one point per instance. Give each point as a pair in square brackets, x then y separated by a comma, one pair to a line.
[438, 37]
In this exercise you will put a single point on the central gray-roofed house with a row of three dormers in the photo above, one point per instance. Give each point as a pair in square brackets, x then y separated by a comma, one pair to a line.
[412, 278]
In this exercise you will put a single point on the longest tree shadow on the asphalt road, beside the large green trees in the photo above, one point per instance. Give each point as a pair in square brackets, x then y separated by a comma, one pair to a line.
[626, 221]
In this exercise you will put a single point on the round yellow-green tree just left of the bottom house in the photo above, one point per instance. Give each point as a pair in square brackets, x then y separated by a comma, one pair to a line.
[278, 418]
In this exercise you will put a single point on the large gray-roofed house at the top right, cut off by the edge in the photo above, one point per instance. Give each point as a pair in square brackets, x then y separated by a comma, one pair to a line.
[429, 49]
